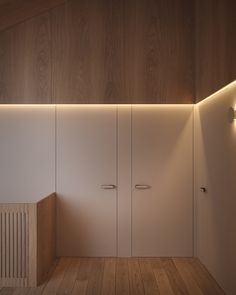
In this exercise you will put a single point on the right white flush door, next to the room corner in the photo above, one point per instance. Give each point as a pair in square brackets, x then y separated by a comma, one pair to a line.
[162, 158]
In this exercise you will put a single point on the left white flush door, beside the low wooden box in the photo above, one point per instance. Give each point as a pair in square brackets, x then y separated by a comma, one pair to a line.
[86, 160]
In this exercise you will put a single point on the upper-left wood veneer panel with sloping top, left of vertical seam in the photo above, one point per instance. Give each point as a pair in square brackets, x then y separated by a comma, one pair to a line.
[25, 62]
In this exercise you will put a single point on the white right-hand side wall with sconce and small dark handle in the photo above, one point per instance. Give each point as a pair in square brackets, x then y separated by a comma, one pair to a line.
[215, 169]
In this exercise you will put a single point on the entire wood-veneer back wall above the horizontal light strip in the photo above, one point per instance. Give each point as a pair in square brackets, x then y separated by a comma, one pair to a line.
[101, 51]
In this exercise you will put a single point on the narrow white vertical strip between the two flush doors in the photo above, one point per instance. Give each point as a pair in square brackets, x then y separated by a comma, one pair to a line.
[124, 181]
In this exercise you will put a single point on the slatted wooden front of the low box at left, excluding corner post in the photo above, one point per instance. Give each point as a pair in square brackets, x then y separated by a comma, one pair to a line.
[13, 244]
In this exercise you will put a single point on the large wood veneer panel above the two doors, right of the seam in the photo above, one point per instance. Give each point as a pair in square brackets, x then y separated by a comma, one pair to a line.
[123, 52]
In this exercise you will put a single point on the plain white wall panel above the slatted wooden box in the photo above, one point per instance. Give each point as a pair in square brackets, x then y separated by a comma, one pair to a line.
[27, 152]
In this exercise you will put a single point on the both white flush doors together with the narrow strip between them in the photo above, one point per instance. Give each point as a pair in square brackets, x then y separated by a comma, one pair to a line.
[124, 180]
